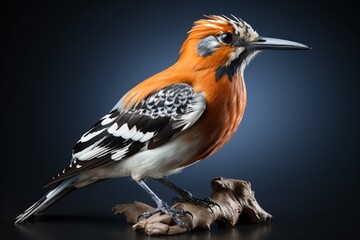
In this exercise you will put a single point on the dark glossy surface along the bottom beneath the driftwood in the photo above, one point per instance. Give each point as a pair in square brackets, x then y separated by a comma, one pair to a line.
[92, 227]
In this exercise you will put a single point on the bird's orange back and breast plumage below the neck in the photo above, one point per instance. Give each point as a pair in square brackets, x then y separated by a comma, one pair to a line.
[225, 105]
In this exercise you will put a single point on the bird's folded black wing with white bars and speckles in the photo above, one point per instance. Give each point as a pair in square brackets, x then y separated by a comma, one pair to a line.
[124, 132]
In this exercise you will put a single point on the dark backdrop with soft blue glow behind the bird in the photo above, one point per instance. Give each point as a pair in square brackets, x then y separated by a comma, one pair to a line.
[66, 64]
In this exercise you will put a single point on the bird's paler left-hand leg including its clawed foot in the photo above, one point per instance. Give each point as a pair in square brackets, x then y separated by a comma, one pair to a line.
[162, 206]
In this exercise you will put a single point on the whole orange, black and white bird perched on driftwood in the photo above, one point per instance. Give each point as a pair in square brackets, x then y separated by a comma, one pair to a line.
[171, 120]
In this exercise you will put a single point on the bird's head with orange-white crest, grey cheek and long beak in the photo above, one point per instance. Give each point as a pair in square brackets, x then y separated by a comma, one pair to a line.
[226, 45]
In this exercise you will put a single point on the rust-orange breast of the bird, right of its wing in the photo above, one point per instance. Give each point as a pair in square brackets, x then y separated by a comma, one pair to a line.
[226, 101]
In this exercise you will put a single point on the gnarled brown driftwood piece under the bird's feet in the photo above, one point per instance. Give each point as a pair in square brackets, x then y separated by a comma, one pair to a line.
[235, 198]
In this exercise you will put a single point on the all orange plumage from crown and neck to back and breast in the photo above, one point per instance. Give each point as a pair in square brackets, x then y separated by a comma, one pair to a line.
[225, 98]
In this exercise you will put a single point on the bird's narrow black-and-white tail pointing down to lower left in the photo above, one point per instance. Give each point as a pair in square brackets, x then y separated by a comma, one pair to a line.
[48, 199]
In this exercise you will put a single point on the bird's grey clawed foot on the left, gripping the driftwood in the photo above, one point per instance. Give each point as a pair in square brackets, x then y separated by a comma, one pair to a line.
[172, 212]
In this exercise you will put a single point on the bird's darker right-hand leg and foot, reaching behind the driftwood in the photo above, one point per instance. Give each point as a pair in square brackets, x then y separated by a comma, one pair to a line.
[186, 196]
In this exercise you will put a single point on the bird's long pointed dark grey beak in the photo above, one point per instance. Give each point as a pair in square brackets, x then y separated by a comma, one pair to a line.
[274, 43]
